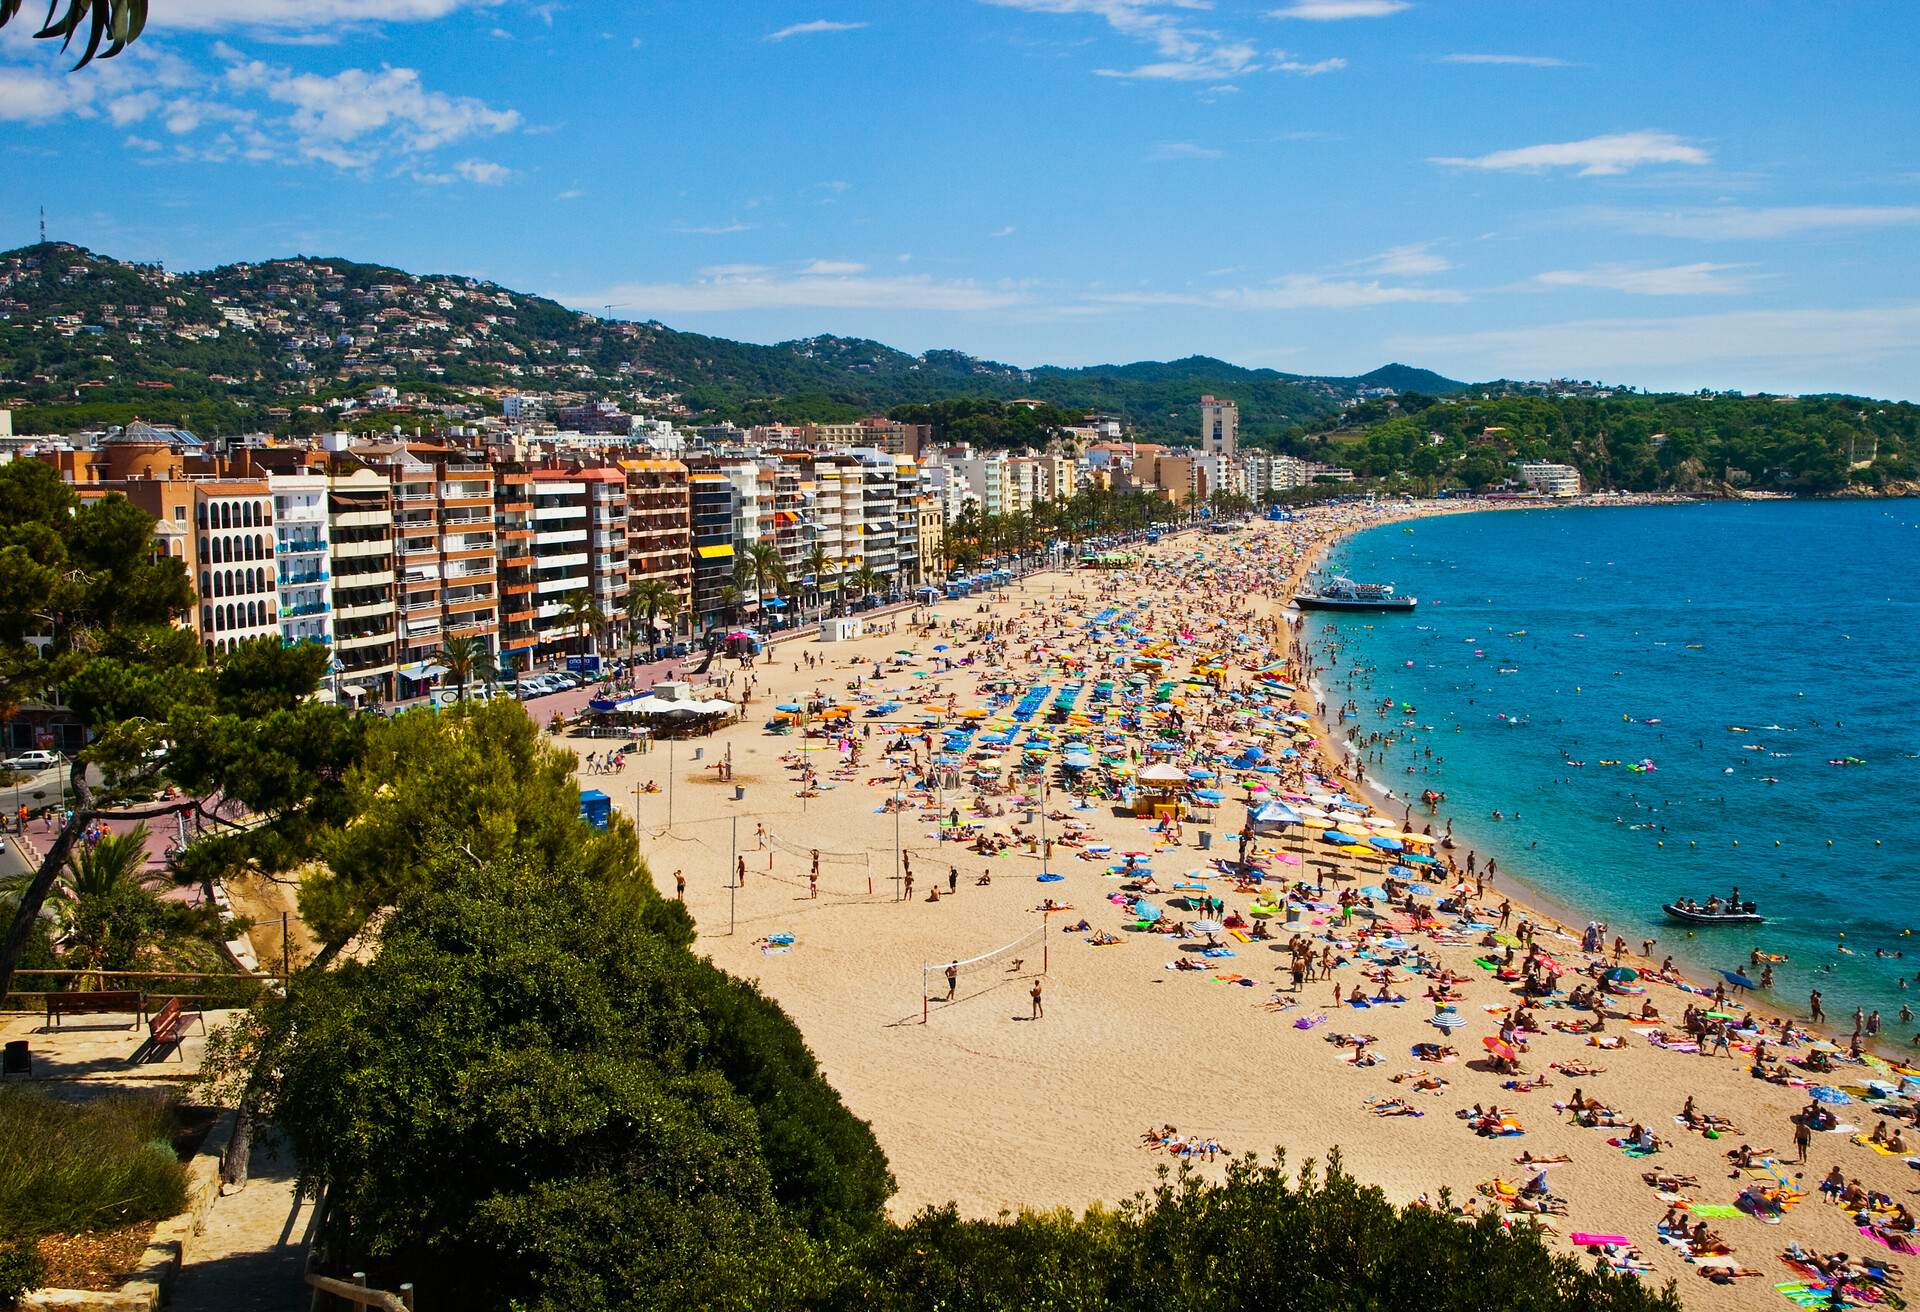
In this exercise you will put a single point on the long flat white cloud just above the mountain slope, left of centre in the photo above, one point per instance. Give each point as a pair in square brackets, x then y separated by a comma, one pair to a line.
[757, 287]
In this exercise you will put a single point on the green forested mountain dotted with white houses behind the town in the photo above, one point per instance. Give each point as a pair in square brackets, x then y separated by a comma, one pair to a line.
[264, 347]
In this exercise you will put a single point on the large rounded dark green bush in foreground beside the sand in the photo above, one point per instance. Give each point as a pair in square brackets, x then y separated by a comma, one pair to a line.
[533, 1100]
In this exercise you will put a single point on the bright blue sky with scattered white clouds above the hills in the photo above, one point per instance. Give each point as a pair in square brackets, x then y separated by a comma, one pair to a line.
[1666, 195]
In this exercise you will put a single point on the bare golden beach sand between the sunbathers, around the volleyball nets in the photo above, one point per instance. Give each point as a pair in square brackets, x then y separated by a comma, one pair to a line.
[996, 1111]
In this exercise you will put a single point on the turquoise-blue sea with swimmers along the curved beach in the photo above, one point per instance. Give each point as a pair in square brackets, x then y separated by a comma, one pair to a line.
[1735, 654]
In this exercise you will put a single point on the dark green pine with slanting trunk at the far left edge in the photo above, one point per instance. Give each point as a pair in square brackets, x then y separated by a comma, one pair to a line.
[91, 606]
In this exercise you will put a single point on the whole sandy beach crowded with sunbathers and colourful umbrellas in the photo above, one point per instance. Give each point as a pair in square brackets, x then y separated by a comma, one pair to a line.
[996, 1109]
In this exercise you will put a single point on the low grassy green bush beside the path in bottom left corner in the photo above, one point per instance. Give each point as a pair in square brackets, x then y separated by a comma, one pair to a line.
[76, 1167]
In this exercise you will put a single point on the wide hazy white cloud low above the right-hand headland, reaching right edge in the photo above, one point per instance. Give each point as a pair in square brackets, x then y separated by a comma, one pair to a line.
[1710, 345]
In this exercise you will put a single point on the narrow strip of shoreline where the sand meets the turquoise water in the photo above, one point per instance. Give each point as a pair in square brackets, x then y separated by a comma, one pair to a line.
[1527, 898]
